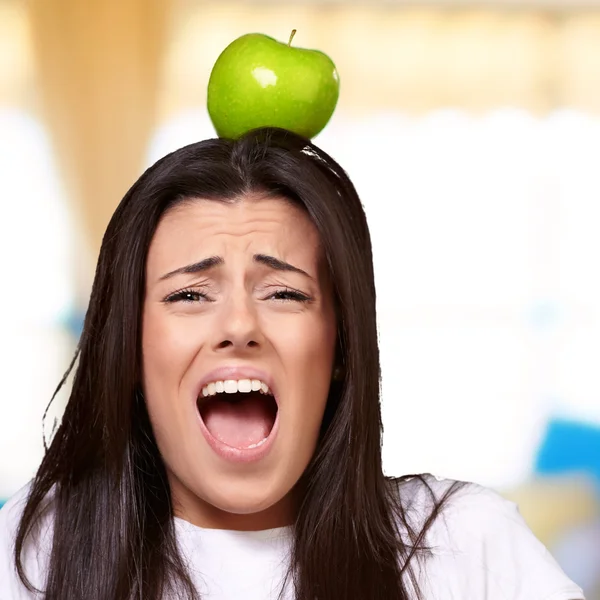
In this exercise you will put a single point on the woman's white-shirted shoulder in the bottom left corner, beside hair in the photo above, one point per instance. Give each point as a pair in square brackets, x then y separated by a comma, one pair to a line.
[35, 553]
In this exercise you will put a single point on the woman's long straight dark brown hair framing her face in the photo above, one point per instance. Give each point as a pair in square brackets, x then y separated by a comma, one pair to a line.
[114, 536]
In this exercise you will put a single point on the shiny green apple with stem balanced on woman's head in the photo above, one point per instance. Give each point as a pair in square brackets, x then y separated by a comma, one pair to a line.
[258, 81]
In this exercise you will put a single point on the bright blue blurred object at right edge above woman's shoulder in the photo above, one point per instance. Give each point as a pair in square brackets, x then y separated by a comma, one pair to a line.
[570, 446]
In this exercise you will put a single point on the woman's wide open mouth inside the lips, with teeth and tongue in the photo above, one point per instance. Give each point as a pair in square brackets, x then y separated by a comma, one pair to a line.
[239, 413]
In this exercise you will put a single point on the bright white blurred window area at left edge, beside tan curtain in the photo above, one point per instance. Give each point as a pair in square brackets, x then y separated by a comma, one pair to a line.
[36, 292]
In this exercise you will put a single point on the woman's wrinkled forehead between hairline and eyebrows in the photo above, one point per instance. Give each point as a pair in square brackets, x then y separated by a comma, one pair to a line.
[252, 225]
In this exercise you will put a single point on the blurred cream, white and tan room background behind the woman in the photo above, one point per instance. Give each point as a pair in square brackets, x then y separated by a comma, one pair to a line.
[472, 132]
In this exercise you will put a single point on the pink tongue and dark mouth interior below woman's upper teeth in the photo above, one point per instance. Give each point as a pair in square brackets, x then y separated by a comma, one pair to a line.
[239, 424]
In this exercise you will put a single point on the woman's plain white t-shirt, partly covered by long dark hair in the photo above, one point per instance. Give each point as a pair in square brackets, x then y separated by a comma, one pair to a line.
[482, 550]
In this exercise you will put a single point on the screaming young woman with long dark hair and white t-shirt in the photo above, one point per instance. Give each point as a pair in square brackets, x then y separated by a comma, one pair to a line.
[222, 439]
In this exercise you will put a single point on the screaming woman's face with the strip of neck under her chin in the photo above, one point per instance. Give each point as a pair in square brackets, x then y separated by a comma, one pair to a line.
[238, 344]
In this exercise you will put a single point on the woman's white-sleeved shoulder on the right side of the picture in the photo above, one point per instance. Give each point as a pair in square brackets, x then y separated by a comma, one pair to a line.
[480, 545]
